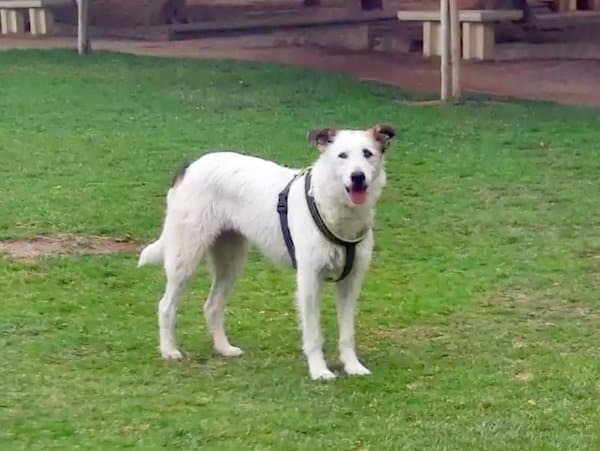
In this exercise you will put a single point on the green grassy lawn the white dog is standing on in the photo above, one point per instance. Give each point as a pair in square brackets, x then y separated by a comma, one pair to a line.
[480, 318]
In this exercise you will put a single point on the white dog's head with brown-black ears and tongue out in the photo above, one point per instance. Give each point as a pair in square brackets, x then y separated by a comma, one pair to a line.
[355, 159]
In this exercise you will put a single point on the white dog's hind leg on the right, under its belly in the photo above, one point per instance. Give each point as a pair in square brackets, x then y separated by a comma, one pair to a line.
[226, 259]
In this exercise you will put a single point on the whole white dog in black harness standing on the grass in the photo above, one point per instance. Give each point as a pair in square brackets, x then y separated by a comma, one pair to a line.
[319, 221]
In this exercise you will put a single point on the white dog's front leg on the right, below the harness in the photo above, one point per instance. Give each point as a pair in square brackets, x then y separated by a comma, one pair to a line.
[347, 295]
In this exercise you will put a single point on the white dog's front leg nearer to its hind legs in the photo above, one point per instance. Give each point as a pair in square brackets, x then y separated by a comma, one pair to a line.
[308, 299]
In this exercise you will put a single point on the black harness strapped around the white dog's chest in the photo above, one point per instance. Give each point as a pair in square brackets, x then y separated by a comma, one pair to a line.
[282, 209]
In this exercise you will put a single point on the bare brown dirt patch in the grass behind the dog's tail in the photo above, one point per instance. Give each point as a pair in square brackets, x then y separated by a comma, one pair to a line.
[64, 244]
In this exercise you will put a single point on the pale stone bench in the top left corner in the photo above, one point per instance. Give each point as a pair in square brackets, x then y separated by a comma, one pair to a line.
[41, 20]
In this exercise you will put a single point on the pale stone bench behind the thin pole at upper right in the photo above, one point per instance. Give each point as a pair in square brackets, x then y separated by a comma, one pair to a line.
[478, 36]
